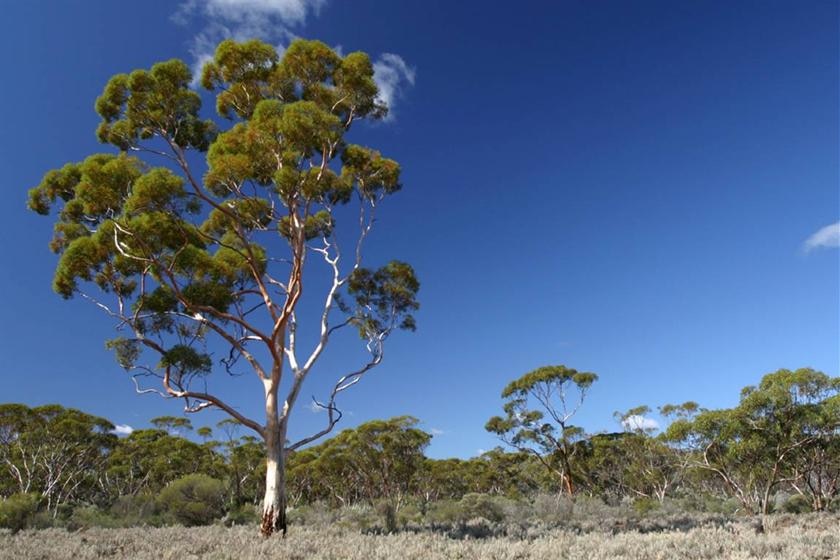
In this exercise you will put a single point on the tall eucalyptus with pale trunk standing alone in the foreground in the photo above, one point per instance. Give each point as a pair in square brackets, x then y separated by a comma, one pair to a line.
[186, 262]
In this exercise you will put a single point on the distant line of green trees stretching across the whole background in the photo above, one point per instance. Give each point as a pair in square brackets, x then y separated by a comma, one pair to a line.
[783, 438]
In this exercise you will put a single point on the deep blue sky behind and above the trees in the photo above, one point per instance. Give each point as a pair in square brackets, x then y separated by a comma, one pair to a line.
[646, 190]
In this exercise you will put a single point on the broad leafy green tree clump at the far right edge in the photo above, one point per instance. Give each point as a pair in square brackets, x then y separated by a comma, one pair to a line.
[784, 427]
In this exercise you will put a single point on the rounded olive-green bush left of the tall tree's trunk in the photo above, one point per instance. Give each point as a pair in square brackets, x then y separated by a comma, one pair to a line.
[195, 499]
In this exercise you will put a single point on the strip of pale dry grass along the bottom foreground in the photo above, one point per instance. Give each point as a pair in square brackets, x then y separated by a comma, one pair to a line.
[807, 537]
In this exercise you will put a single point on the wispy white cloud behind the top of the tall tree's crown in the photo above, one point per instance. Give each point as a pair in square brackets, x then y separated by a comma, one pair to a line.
[276, 22]
